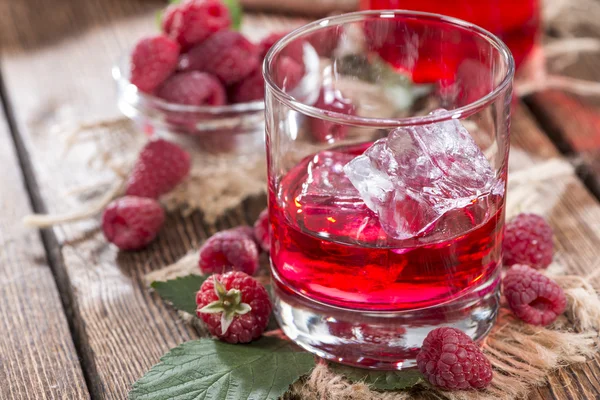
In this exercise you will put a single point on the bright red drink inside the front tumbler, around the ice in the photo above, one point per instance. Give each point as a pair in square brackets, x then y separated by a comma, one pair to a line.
[332, 249]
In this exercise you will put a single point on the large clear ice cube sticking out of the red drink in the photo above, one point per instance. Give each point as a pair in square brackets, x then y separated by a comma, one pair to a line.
[418, 174]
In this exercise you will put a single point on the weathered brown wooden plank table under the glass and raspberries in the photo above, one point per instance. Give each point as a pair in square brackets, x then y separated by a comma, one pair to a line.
[76, 320]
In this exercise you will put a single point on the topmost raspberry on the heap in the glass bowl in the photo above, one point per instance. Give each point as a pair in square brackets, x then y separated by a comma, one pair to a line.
[192, 21]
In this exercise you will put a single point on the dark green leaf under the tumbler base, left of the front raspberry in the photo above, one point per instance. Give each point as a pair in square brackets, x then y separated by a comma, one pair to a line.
[380, 380]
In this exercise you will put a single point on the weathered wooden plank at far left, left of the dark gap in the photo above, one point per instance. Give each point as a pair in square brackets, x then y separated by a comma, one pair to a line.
[37, 356]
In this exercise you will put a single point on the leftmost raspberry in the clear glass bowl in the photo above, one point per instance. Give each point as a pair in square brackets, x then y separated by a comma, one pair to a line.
[152, 61]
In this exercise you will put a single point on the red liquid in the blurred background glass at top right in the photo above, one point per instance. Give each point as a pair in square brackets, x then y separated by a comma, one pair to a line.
[515, 22]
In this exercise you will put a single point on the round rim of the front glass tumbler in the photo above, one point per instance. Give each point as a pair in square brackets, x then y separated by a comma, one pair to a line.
[460, 112]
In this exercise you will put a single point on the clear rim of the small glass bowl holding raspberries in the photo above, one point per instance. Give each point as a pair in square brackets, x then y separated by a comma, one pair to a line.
[119, 74]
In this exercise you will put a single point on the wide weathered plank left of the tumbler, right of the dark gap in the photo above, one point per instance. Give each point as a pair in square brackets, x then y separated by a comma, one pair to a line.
[61, 81]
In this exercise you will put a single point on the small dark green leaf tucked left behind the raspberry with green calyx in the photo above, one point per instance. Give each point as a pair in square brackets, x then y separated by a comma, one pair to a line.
[180, 292]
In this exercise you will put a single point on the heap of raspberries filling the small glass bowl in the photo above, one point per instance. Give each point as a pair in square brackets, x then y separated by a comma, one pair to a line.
[199, 60]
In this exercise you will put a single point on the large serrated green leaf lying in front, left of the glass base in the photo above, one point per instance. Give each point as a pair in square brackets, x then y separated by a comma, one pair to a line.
[209, 369]
